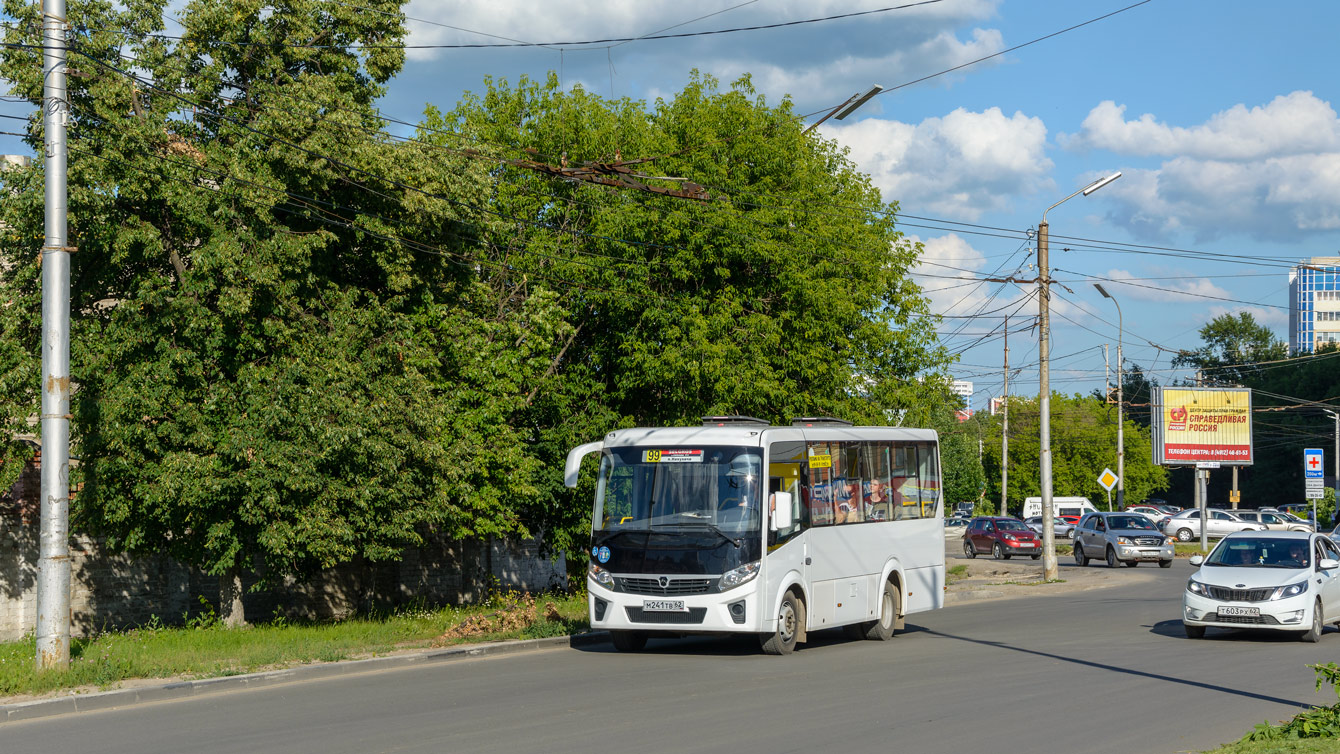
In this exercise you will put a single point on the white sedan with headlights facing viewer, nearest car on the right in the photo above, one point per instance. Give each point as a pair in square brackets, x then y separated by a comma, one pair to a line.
[1274, 581]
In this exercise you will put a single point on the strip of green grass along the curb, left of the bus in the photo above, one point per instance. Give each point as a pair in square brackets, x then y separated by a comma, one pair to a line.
[204, 649]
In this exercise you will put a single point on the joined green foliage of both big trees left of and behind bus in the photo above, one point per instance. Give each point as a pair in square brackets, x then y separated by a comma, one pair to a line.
[299, 342]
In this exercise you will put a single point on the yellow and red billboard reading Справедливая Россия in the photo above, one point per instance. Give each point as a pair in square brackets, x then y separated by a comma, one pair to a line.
[1200, 425]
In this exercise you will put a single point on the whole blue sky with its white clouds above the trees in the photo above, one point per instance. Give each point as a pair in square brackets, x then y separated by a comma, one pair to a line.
[1221, 116]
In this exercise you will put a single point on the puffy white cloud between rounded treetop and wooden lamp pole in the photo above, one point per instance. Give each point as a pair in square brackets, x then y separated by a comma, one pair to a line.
[961, 165]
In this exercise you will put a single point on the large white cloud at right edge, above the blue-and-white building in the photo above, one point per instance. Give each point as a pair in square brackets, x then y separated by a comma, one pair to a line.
[1270, 172]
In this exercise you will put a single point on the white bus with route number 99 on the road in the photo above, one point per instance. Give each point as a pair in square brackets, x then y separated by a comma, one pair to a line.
[739, 527]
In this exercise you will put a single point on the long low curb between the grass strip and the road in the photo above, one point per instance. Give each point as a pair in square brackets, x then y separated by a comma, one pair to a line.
[186, 689]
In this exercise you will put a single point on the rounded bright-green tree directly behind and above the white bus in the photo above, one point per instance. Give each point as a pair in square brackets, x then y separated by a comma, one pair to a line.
[785, 294]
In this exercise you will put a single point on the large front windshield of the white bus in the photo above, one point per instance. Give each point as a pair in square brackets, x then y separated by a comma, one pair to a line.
[683, 487]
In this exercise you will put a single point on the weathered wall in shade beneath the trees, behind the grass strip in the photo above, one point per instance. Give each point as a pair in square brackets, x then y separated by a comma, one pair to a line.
[117, 591]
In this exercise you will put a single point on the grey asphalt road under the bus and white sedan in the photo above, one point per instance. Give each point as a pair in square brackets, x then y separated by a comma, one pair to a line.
[1105, 670]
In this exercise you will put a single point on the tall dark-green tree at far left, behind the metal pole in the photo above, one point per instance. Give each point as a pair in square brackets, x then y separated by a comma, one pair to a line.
[257, 346]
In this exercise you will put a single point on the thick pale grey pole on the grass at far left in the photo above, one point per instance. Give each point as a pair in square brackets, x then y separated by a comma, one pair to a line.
[54, 555]
